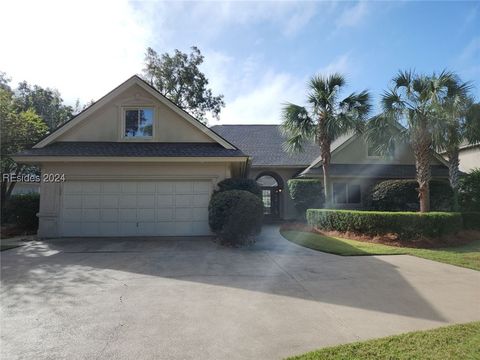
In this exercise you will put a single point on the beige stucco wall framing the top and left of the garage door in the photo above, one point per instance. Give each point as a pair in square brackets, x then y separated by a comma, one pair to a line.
[50, 202]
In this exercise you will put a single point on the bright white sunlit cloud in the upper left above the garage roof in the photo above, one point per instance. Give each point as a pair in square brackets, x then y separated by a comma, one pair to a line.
[82, 48]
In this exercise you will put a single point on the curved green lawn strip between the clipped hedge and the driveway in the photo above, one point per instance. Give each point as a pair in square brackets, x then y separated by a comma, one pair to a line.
[466, 255]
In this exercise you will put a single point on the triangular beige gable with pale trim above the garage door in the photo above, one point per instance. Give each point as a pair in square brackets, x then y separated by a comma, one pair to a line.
[180, 127]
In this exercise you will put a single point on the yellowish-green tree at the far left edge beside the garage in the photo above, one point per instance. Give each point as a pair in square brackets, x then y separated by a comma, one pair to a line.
[19, 130]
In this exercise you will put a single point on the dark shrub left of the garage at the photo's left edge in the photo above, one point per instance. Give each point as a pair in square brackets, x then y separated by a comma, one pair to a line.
[22, 210]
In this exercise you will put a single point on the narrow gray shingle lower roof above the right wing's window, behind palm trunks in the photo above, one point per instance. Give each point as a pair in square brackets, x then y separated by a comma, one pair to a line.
[378, 171]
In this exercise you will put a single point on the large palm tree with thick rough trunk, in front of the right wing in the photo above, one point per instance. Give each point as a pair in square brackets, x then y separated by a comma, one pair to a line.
[410, 114]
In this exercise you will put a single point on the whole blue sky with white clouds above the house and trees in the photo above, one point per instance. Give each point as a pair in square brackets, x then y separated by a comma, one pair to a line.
[258, 54]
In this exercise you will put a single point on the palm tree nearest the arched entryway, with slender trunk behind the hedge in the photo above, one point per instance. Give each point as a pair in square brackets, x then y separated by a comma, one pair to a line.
[326, 118]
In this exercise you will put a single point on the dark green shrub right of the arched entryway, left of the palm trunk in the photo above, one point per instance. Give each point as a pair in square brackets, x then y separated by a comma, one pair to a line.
[306, 193]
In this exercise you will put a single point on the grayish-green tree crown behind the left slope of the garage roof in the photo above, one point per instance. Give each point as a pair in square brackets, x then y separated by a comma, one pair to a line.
[46, 102]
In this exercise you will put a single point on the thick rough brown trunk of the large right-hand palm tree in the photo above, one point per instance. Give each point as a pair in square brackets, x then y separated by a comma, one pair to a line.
[422, 151]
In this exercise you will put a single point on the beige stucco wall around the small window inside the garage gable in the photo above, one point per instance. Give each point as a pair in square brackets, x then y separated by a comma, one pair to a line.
[106, 124]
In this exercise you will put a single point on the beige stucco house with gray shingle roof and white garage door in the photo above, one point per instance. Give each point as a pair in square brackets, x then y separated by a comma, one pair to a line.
[135, 164]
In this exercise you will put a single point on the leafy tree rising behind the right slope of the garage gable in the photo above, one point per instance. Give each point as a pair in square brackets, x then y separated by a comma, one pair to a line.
[179, 78]
